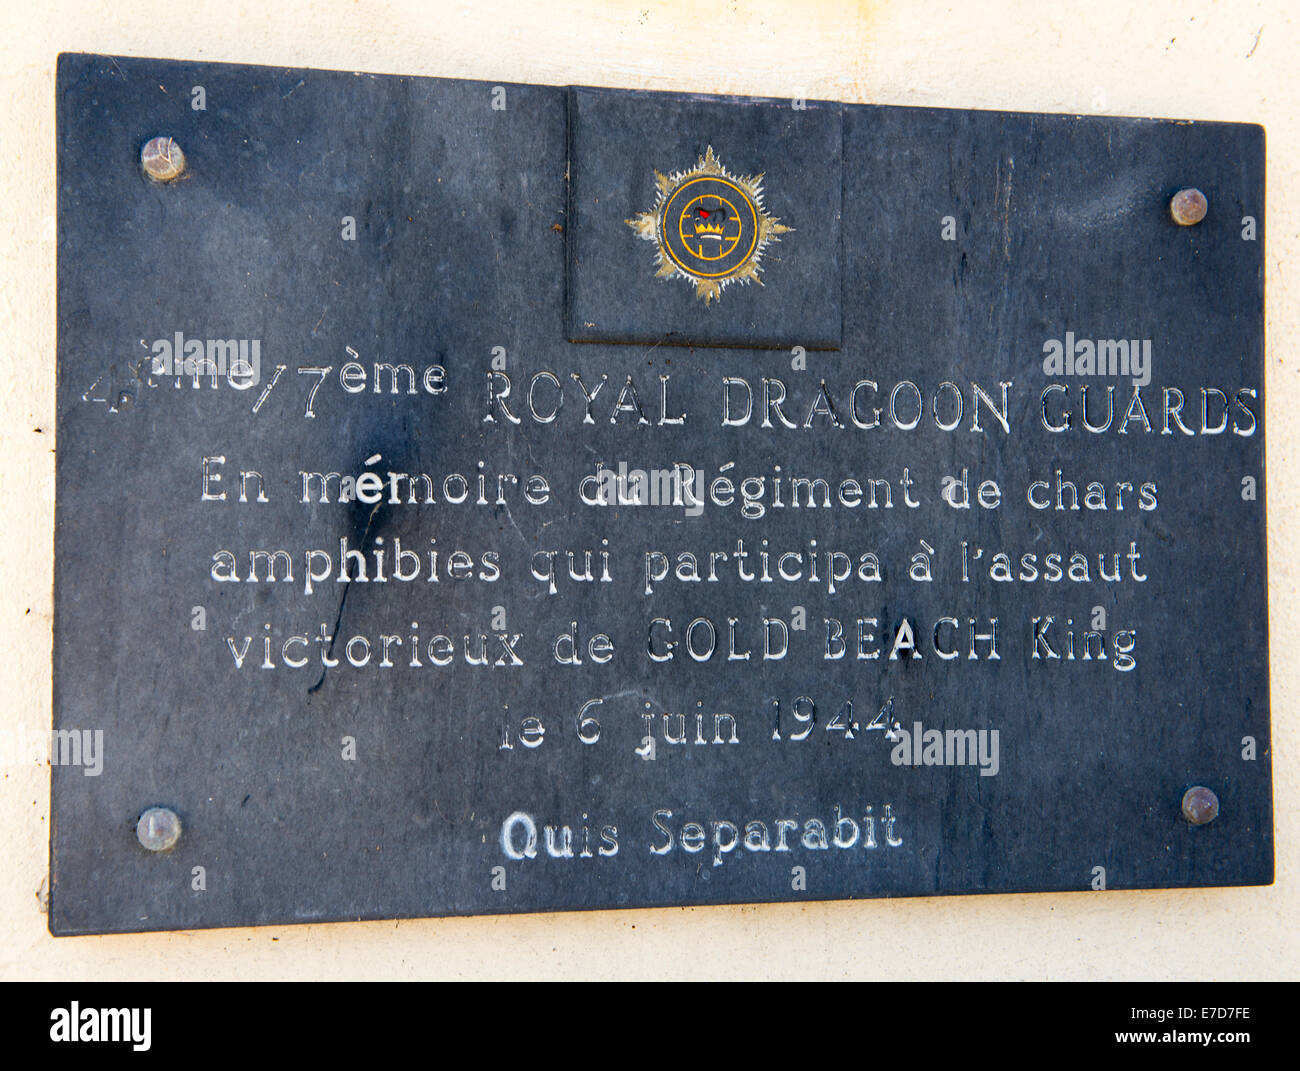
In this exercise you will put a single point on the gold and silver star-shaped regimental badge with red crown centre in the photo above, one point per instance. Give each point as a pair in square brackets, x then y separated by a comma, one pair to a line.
[709, 227]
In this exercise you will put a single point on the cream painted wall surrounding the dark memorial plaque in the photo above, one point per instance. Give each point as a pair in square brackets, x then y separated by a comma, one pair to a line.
[1191, 59]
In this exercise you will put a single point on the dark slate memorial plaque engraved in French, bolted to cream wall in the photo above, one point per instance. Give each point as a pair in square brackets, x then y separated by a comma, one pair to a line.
[947, 574]
